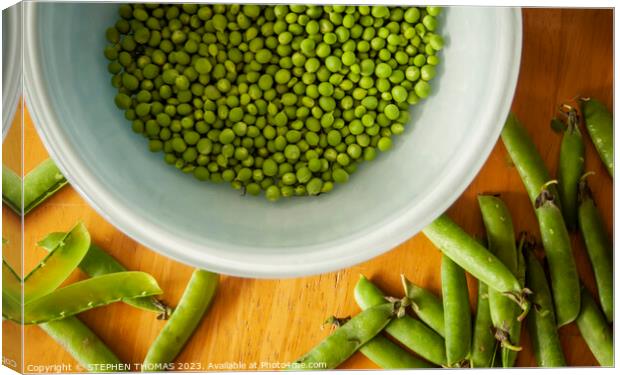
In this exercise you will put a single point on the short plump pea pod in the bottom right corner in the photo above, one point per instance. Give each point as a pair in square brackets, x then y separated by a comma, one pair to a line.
[595, 330]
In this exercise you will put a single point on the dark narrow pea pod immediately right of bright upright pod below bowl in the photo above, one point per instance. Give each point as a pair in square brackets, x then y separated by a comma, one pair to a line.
[484, 344]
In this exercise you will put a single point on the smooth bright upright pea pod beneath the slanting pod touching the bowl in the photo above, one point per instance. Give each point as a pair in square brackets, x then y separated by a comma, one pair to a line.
[457, 315]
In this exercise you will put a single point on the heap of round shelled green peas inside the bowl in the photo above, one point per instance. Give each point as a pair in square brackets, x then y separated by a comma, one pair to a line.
[285, 99]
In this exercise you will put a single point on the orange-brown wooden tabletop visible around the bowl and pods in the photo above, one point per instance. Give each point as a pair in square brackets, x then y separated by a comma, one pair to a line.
[565, 53]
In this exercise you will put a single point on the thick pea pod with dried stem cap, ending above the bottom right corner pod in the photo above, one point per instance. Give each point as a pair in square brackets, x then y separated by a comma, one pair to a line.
[562, 267]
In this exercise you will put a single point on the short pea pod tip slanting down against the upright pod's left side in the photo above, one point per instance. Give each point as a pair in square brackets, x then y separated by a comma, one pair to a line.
[427, 306]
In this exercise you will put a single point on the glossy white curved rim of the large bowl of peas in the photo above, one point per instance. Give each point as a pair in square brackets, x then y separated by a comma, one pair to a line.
[319, 259]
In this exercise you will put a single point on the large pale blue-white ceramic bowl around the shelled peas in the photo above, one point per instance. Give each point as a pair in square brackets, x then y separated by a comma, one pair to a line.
[211, 226]
